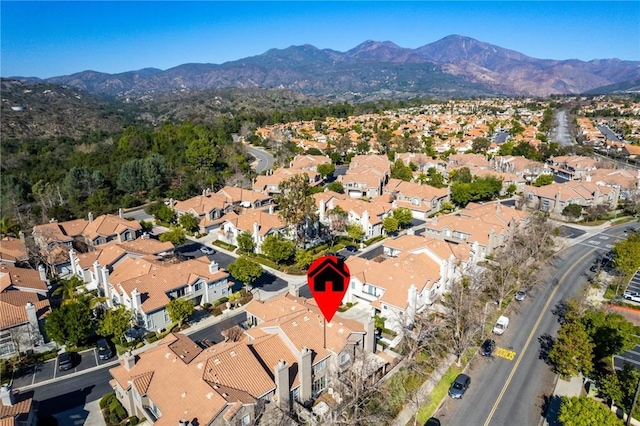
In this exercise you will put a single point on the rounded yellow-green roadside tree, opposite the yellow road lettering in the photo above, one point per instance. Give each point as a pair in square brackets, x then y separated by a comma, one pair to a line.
[572, 351]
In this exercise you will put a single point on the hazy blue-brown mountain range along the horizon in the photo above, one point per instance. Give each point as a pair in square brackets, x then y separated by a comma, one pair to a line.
[452, 66]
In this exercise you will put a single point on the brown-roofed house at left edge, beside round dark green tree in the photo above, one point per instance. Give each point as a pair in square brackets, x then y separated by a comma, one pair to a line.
[23, 306]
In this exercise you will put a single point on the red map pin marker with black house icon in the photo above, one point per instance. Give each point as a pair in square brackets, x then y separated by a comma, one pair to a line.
[328, 280]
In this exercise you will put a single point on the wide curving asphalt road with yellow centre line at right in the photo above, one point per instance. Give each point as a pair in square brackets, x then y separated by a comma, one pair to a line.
[505, 392]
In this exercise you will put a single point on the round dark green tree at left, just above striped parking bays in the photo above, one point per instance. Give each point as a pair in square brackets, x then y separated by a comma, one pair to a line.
[70, 324]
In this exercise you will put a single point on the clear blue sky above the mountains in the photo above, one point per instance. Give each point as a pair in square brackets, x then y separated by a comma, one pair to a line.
[45, 39]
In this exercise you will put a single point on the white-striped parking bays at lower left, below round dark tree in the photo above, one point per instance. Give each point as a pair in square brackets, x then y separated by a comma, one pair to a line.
[49, 369]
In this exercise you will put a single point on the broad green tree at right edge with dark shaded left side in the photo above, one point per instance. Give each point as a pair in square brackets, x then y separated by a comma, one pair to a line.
[610, 333]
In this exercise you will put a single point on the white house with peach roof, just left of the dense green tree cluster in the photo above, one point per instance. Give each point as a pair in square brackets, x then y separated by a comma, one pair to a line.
[422, 200]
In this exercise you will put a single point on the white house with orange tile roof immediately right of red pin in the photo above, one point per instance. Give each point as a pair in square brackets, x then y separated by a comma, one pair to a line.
[396, 288]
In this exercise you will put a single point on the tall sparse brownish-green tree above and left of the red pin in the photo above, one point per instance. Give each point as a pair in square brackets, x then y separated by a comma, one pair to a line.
[295, 204]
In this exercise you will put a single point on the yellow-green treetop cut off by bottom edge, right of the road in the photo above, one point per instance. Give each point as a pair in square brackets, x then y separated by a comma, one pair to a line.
[585, 411]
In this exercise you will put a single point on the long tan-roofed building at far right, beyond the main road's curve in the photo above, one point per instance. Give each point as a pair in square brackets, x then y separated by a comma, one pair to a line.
[555, 197]
